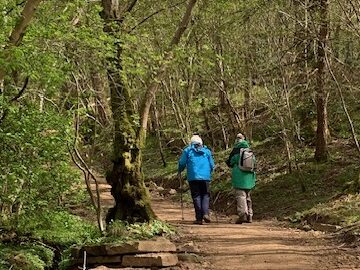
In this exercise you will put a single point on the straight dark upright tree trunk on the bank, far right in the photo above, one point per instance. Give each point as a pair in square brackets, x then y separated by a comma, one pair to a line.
[321, 152]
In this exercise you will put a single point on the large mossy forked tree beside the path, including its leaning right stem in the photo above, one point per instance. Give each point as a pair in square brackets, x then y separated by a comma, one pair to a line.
[128, 188]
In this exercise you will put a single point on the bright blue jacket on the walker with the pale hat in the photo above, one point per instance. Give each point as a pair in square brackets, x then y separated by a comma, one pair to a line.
[198, 162]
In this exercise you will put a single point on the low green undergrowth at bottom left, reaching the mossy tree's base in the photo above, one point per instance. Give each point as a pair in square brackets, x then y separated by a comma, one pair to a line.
[33, 243]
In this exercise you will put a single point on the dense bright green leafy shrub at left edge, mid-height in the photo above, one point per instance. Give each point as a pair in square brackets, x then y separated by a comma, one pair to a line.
[35, 165]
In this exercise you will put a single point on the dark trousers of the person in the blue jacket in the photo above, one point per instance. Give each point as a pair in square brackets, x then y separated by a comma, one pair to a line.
[200, 193]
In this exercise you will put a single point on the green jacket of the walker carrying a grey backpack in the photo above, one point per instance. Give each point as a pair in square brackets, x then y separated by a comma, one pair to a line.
[240, 179]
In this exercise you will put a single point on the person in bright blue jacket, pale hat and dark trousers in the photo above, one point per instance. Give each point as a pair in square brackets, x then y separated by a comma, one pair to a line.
[198, 160]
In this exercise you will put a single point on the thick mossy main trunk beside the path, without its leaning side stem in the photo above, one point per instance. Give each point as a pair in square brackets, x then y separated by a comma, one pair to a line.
[132, 201]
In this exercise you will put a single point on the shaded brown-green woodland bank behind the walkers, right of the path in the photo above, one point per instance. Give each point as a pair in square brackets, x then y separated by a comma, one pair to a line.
[328, 191]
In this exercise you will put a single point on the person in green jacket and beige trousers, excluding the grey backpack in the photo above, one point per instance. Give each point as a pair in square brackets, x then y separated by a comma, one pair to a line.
[242, 181]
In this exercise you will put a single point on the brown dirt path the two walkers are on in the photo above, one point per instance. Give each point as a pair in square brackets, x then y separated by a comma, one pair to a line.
[260, 245]
